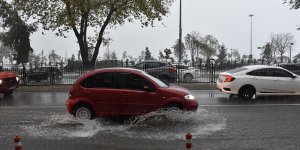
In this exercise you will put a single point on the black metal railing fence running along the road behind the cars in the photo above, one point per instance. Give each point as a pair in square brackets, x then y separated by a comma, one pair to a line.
[206, 73]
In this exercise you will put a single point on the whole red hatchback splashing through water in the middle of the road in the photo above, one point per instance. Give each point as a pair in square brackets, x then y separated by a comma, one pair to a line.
[124, 92]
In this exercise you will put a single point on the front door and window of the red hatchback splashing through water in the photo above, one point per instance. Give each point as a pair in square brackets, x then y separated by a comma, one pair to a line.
[137, 99]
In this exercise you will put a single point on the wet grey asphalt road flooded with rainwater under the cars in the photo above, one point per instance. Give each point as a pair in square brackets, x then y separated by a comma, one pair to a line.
[221, 122]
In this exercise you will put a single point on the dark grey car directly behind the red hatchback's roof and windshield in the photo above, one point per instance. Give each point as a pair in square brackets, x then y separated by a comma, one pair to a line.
[159, 69]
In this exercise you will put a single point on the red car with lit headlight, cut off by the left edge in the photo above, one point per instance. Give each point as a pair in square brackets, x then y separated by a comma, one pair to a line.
[8, 82]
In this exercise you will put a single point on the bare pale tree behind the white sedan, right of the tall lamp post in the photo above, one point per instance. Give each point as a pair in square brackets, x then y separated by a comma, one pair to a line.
[281, 43]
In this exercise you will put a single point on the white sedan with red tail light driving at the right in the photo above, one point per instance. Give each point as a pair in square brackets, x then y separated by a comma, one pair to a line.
[256, 80]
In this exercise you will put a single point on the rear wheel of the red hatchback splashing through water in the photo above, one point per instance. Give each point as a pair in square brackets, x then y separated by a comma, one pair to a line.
[84, 112]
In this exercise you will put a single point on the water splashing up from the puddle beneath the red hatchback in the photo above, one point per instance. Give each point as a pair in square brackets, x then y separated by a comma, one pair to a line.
[162, 125]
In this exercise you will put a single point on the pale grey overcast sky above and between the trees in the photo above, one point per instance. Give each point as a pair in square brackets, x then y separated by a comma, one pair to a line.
[227, 20]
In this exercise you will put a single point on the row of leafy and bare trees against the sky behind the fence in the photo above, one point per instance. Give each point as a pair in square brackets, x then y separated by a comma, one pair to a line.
[83, 16]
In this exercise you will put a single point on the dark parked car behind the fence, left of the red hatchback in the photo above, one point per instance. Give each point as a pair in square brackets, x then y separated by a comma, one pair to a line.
[44, 73]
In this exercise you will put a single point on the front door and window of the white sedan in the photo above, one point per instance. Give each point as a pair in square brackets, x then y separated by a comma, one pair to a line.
[284, 81]
